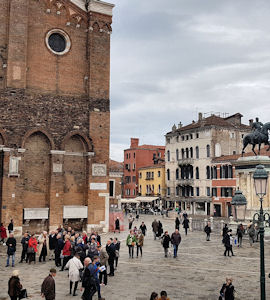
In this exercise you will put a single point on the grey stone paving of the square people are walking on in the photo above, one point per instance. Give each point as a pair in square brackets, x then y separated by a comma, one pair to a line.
[197, 273]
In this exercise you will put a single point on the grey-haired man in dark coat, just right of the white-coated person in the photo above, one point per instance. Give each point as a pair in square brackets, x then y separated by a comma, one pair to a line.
[88, 281]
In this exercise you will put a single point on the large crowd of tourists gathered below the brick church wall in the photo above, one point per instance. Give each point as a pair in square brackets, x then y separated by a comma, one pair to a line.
[83, 256]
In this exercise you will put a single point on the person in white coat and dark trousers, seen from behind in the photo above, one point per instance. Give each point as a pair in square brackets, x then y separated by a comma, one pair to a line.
[74, 266]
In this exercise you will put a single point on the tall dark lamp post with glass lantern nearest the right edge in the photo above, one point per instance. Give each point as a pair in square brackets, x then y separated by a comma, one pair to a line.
[260, 177]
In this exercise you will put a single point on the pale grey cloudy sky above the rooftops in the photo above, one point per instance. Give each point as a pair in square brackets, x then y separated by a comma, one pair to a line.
[171, 59]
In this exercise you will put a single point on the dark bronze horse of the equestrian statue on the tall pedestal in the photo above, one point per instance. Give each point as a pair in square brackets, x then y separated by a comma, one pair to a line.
[257, 137]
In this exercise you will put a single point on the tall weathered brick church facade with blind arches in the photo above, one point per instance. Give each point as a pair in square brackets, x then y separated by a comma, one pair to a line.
[55, 113]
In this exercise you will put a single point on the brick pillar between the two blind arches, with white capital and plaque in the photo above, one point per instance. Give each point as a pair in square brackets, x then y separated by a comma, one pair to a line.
[56, 189]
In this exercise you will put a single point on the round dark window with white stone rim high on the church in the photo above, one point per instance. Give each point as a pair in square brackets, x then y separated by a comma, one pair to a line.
[58, 41]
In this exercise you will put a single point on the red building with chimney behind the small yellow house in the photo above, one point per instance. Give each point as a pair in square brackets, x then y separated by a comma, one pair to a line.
[135, 158]
